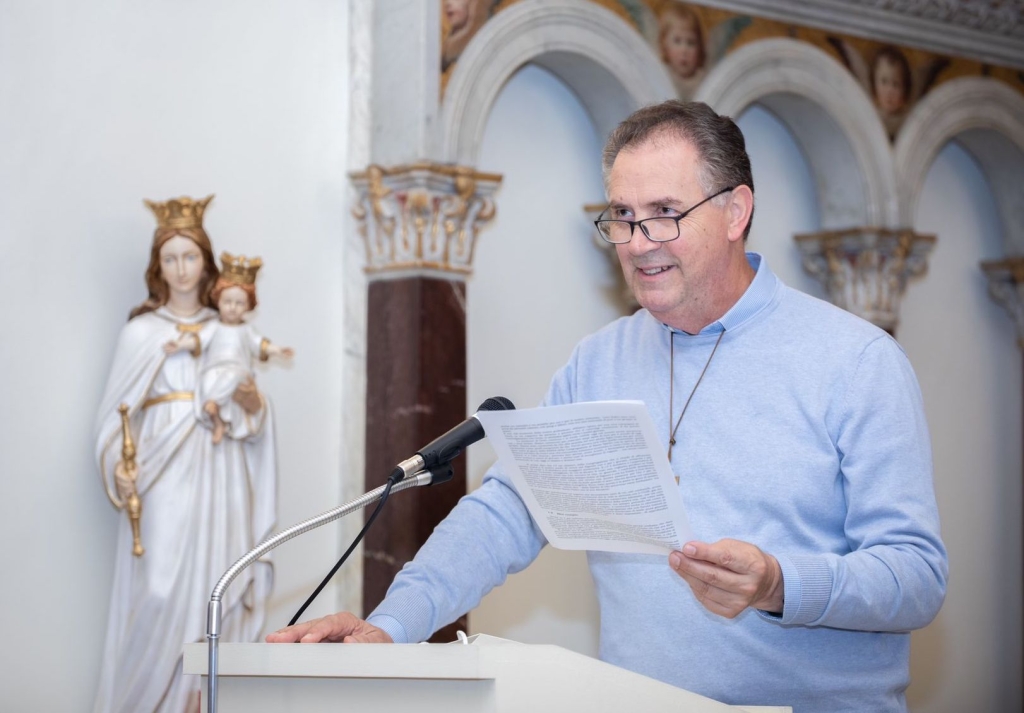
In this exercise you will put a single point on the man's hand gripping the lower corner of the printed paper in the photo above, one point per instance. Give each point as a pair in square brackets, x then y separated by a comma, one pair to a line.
[730, 576]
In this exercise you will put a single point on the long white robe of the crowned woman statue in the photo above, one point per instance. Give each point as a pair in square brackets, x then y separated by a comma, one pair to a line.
[203, 508]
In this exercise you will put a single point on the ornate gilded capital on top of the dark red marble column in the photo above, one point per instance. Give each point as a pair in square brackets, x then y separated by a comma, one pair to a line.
[422, 219]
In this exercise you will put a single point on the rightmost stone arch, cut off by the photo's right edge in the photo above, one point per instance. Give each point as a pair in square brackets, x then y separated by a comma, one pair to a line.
[986, 117]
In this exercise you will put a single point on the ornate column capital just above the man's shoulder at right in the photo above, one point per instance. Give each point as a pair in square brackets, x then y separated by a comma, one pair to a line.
[866, 270]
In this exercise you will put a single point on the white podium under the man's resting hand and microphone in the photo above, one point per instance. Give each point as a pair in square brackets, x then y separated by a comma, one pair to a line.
[486, 676]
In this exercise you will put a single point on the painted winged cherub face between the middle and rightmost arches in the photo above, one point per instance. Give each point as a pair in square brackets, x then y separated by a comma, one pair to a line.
[890, 80]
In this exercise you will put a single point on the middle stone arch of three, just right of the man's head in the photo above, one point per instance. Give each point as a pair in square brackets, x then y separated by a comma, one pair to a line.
[828, 113]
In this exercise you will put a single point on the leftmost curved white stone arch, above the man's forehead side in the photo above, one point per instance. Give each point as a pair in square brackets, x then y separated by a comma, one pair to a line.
[602, 59]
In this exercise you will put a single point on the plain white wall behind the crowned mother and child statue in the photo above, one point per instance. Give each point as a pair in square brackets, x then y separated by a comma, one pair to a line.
[106, 104]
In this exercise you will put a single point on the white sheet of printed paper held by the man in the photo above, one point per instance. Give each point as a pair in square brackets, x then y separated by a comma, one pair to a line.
[593, 476]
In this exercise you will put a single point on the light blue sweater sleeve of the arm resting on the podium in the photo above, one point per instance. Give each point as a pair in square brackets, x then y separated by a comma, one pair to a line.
[488, 536]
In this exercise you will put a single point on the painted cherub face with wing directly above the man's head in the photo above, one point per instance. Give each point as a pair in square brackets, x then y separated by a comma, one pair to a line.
[684, 49]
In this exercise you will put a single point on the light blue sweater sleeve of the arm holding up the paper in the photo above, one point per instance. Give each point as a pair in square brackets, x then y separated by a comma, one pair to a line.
[894, 576]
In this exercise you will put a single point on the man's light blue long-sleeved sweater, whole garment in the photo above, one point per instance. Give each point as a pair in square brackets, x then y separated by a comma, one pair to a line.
[806, 438]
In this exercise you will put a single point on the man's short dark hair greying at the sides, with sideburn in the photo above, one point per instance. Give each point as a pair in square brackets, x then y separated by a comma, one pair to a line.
[719, 143]
